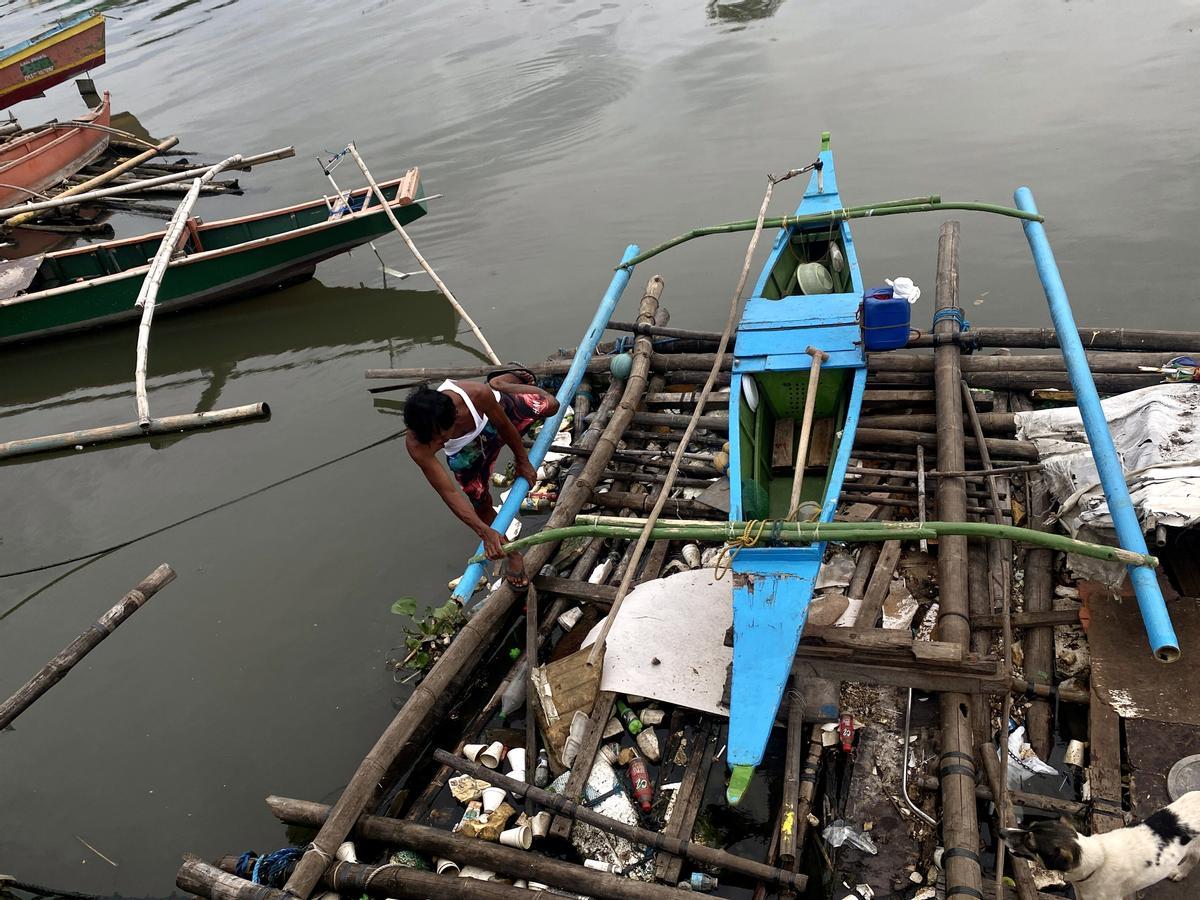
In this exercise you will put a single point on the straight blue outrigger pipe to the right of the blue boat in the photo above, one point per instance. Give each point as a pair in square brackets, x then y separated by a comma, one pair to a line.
[1145, 581]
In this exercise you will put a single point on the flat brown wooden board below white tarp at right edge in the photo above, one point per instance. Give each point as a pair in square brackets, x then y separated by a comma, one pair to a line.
[1125, 674]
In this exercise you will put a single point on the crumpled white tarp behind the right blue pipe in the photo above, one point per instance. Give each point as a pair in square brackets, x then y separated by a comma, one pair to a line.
[1159, 443]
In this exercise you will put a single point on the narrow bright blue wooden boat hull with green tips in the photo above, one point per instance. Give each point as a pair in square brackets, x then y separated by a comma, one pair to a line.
[782, 328]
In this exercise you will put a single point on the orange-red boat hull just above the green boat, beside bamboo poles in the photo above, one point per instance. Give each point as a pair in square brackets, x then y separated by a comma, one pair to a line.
[33, 163]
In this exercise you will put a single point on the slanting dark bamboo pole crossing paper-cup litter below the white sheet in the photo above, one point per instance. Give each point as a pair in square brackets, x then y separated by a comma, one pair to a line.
[692, 850]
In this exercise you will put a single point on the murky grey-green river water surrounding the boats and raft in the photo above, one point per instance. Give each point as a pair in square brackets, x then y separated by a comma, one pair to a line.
[559, 133]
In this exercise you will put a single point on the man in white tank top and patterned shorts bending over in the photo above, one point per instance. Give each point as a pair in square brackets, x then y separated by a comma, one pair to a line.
[471, 423]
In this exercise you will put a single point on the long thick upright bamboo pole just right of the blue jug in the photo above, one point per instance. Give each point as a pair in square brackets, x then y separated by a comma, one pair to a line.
[961, 827]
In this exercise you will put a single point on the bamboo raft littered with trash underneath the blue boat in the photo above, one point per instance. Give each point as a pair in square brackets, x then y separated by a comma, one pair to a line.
[883, 766]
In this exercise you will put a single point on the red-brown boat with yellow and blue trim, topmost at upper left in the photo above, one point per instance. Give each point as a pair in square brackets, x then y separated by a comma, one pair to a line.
[68, 49]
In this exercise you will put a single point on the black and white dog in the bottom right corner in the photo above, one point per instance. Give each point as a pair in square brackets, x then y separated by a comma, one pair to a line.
[1114, 866]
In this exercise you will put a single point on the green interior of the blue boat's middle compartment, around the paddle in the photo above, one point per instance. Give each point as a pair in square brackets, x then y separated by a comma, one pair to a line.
[771, 434]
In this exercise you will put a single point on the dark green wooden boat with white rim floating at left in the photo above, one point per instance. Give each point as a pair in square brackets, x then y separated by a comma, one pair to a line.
[97, 285]
